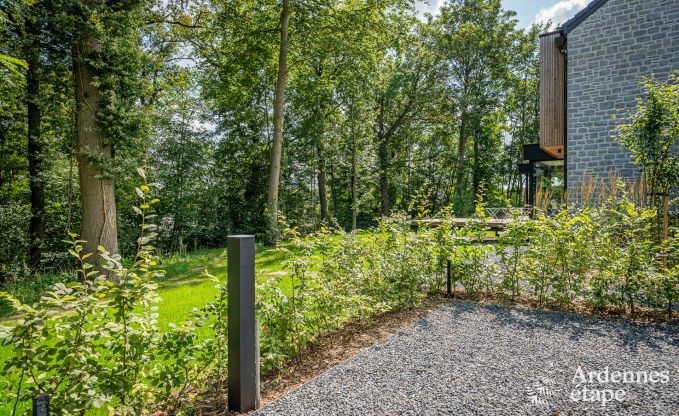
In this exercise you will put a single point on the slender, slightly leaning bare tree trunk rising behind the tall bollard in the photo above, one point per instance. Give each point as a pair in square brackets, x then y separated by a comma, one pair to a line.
[279, 116]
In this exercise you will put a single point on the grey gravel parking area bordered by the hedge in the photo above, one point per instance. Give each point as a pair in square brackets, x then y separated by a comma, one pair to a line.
[471, 359]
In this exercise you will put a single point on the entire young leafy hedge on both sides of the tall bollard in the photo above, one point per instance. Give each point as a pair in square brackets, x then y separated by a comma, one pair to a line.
[95, 343]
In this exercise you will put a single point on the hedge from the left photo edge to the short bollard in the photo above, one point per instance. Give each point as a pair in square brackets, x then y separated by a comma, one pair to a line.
[94, 343]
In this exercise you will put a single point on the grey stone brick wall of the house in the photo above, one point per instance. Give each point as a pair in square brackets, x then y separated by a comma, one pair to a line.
[608, 54]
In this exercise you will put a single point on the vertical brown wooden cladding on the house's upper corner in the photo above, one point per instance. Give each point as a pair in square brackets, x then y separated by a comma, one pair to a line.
[552, 96]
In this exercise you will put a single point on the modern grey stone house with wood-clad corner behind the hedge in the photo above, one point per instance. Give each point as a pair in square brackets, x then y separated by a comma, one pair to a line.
[590, 71]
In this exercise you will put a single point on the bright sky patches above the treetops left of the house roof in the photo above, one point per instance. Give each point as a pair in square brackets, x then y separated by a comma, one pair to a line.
[530, 11]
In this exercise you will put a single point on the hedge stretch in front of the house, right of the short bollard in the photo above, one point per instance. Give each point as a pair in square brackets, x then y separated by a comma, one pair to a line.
[605, 257]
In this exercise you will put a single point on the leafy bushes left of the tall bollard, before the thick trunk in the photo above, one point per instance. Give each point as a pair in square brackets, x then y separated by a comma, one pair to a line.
[95, 343]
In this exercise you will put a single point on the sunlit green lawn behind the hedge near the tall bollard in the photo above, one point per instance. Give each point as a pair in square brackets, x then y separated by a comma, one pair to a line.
[184, 287]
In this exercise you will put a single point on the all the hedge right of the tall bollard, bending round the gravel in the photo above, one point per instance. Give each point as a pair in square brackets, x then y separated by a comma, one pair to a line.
[601, 256]
